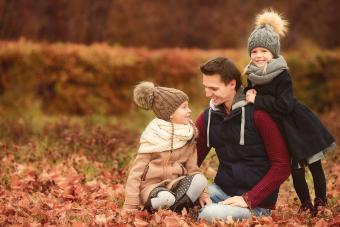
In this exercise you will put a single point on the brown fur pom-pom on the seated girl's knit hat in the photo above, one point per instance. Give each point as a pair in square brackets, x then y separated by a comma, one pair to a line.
[143, 95]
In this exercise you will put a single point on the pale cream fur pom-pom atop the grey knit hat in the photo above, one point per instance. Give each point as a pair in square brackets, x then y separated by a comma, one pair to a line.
[272, 18]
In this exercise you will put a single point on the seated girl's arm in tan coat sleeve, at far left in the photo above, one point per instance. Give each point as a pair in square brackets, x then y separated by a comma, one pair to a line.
[132, 188]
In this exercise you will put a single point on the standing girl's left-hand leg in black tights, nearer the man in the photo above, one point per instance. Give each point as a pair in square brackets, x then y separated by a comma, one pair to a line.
[301, 188]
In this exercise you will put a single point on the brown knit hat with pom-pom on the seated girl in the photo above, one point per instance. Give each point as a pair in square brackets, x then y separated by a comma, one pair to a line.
[162, 100]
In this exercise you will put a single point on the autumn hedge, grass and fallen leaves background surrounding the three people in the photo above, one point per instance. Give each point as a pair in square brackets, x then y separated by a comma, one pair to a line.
[69, 129]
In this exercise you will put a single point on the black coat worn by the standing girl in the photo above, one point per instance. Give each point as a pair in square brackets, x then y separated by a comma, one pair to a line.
[304, 133]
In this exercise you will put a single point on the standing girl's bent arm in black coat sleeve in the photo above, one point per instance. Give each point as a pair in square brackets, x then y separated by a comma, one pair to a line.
[283, 103]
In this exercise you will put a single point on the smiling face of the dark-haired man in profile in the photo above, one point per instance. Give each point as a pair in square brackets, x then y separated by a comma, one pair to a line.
[217, 90]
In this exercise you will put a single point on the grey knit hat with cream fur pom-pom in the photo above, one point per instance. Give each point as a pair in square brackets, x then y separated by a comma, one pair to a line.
[269, 27]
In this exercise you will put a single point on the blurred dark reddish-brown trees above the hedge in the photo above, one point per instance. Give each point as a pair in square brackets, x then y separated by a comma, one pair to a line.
[172, 23]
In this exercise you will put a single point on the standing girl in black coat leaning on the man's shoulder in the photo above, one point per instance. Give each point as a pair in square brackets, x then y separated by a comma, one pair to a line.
[270, 88]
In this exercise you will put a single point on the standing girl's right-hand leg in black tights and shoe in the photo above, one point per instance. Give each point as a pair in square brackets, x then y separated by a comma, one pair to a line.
[319, 181]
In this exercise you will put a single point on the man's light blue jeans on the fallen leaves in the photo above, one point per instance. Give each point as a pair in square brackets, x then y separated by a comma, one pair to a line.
[219, 211]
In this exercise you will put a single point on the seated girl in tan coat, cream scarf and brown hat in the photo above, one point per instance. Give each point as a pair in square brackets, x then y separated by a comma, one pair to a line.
[165, 172]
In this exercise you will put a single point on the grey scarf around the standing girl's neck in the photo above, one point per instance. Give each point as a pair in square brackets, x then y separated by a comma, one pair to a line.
[259, 77]
